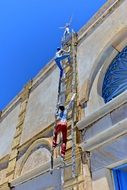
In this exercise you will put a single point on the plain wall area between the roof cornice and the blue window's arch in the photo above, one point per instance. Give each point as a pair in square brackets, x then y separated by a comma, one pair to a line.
[92, 48]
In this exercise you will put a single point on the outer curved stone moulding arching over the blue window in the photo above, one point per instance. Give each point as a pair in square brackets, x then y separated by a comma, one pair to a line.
[115, 45]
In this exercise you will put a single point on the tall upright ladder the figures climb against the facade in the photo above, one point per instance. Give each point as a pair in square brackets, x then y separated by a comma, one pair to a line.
[67, 87]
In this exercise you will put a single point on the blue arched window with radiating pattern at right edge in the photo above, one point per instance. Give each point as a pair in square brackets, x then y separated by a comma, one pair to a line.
[115, 80]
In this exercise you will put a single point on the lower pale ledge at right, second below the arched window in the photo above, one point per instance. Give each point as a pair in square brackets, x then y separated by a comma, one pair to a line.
[105, 136]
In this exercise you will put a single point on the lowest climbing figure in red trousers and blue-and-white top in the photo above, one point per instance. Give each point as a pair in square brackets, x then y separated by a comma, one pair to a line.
[61, 125]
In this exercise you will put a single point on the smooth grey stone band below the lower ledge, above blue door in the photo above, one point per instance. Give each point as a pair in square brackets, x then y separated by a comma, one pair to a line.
[109, 154]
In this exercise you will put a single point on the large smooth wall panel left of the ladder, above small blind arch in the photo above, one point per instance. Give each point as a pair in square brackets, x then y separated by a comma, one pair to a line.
[41, 106]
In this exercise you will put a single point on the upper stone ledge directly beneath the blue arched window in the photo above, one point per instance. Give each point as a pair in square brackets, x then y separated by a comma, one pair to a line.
[106, 109]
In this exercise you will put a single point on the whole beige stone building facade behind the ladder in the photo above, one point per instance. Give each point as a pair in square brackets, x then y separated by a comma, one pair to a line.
[101, 156]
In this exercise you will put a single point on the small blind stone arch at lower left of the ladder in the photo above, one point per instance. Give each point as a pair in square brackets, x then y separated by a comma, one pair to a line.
[37, 154]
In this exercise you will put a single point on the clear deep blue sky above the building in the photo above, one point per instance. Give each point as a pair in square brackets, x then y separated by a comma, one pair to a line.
[29, 35]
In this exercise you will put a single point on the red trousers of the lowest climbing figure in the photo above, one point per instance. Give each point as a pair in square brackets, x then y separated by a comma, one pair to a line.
[61, 127]
